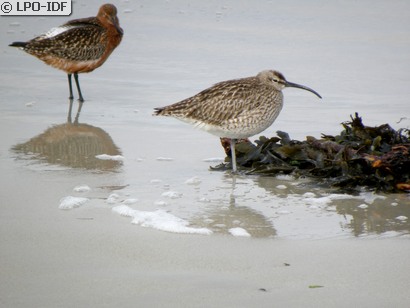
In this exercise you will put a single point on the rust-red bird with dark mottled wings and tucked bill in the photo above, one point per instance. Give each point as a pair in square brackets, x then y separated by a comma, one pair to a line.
[78, 46]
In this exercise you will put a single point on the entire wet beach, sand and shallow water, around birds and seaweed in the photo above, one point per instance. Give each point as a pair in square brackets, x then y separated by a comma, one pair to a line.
[123, 210]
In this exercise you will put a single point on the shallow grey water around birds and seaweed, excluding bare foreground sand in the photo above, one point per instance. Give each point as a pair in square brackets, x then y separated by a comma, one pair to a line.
[356, 60]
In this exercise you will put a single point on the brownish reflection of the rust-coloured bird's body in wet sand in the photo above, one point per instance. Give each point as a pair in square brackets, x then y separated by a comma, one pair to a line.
[72, 145]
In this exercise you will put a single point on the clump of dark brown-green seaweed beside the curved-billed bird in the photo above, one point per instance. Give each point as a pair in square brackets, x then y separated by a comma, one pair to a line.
[375, 157]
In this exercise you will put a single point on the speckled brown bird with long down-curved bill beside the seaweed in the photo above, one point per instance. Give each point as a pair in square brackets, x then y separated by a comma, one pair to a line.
[235, 109]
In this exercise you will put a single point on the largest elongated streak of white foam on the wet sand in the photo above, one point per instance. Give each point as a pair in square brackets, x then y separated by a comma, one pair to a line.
[159, 220]
